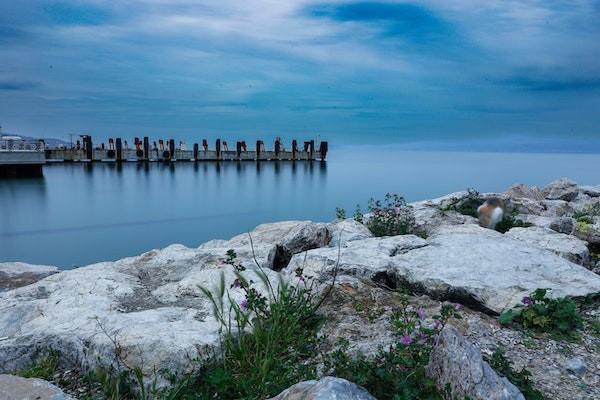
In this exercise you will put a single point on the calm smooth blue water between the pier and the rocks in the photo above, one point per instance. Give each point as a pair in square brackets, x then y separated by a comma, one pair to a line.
[79, 214]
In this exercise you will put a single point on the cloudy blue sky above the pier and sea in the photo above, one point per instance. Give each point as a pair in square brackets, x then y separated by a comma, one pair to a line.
[351, 72]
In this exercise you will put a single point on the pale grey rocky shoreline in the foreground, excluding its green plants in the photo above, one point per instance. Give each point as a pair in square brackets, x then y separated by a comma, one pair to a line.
[150, 308]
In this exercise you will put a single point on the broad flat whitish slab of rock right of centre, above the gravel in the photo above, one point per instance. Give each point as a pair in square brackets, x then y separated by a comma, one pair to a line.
[478, 267]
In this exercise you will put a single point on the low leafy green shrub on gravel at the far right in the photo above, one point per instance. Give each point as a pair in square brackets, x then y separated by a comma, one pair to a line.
[559, 317]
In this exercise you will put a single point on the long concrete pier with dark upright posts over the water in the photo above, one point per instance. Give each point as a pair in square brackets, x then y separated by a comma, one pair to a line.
[22, 157]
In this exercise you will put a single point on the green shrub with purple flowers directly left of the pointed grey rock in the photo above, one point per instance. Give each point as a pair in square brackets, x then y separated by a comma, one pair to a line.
[399, 372]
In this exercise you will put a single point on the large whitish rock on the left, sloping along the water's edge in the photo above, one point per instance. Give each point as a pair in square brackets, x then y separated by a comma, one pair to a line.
[151, 305]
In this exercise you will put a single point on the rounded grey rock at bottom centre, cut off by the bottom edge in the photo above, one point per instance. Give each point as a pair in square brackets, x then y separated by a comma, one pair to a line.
[326, 388]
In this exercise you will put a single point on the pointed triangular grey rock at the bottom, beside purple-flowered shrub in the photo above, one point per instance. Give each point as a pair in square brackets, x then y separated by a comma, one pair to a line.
[456, 362]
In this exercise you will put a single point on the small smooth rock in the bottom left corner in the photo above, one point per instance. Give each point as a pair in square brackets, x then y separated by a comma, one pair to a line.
[17, 388]
